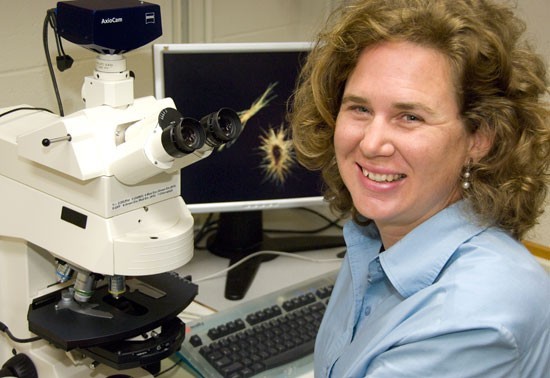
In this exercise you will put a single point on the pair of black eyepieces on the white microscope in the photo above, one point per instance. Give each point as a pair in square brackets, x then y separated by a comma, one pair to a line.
[183, 135]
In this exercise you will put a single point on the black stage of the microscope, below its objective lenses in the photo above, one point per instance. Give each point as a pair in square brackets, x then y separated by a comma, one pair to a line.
[151, 302]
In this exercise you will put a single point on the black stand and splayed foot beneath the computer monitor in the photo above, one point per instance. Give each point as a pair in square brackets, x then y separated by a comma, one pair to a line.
[240, 234]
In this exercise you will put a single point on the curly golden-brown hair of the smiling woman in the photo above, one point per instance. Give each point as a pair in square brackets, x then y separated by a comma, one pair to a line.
[500, 84]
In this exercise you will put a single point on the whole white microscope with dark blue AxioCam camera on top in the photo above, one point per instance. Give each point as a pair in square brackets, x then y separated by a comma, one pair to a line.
[93, 225]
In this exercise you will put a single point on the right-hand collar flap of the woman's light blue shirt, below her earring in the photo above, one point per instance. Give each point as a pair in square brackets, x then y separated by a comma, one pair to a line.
[416, 261]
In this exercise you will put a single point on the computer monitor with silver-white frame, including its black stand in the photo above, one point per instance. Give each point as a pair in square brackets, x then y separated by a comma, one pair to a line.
[259, 171]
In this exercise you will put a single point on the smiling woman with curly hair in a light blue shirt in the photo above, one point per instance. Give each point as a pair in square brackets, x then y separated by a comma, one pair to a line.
[427, 120]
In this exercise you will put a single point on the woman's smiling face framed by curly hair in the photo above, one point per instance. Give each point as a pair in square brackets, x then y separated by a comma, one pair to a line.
[399, 141]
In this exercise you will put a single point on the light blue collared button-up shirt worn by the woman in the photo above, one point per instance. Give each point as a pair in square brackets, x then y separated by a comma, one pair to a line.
[451, 299]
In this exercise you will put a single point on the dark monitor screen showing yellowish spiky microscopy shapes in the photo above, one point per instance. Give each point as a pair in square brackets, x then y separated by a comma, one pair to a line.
[261, 164]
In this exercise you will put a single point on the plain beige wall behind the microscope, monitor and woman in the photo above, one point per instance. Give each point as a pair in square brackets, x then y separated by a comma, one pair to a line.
[24, 78]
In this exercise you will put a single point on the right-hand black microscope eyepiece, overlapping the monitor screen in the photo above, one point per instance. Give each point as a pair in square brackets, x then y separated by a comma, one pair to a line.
[221, 127]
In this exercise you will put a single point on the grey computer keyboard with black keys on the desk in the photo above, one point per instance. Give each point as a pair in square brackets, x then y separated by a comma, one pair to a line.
[269, 336]
